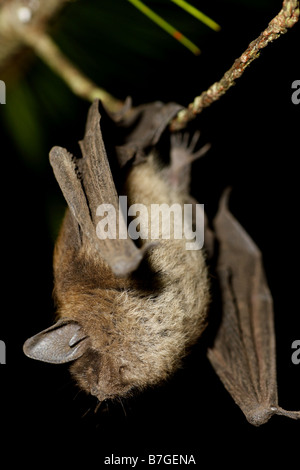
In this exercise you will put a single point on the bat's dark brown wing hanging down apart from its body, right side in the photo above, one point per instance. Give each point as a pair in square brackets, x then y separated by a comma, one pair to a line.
[244, 351]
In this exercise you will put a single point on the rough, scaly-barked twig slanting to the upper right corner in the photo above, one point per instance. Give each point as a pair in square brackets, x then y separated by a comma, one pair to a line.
[286, 18]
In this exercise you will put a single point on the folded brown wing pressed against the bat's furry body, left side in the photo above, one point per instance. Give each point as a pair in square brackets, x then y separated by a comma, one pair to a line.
[91, 187]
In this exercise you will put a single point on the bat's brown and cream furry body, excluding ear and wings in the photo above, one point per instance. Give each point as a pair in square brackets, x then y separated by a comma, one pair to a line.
[138, 327]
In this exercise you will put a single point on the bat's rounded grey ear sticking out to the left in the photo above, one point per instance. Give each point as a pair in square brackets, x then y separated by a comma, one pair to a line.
[62, 342]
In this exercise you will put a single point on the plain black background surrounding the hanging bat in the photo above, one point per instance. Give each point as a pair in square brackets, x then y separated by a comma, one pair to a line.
[254, 133]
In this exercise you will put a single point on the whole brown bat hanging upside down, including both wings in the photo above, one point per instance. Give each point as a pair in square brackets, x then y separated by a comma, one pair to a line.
[127, 314]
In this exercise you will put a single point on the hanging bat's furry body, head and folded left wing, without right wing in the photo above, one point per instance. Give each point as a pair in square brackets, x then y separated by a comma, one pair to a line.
[126, 312]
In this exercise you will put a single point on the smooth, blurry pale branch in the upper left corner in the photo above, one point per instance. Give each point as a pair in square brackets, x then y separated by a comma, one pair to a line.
[21, 26]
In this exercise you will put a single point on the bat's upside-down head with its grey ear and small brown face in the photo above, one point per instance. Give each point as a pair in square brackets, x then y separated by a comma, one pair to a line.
[98, 371]
